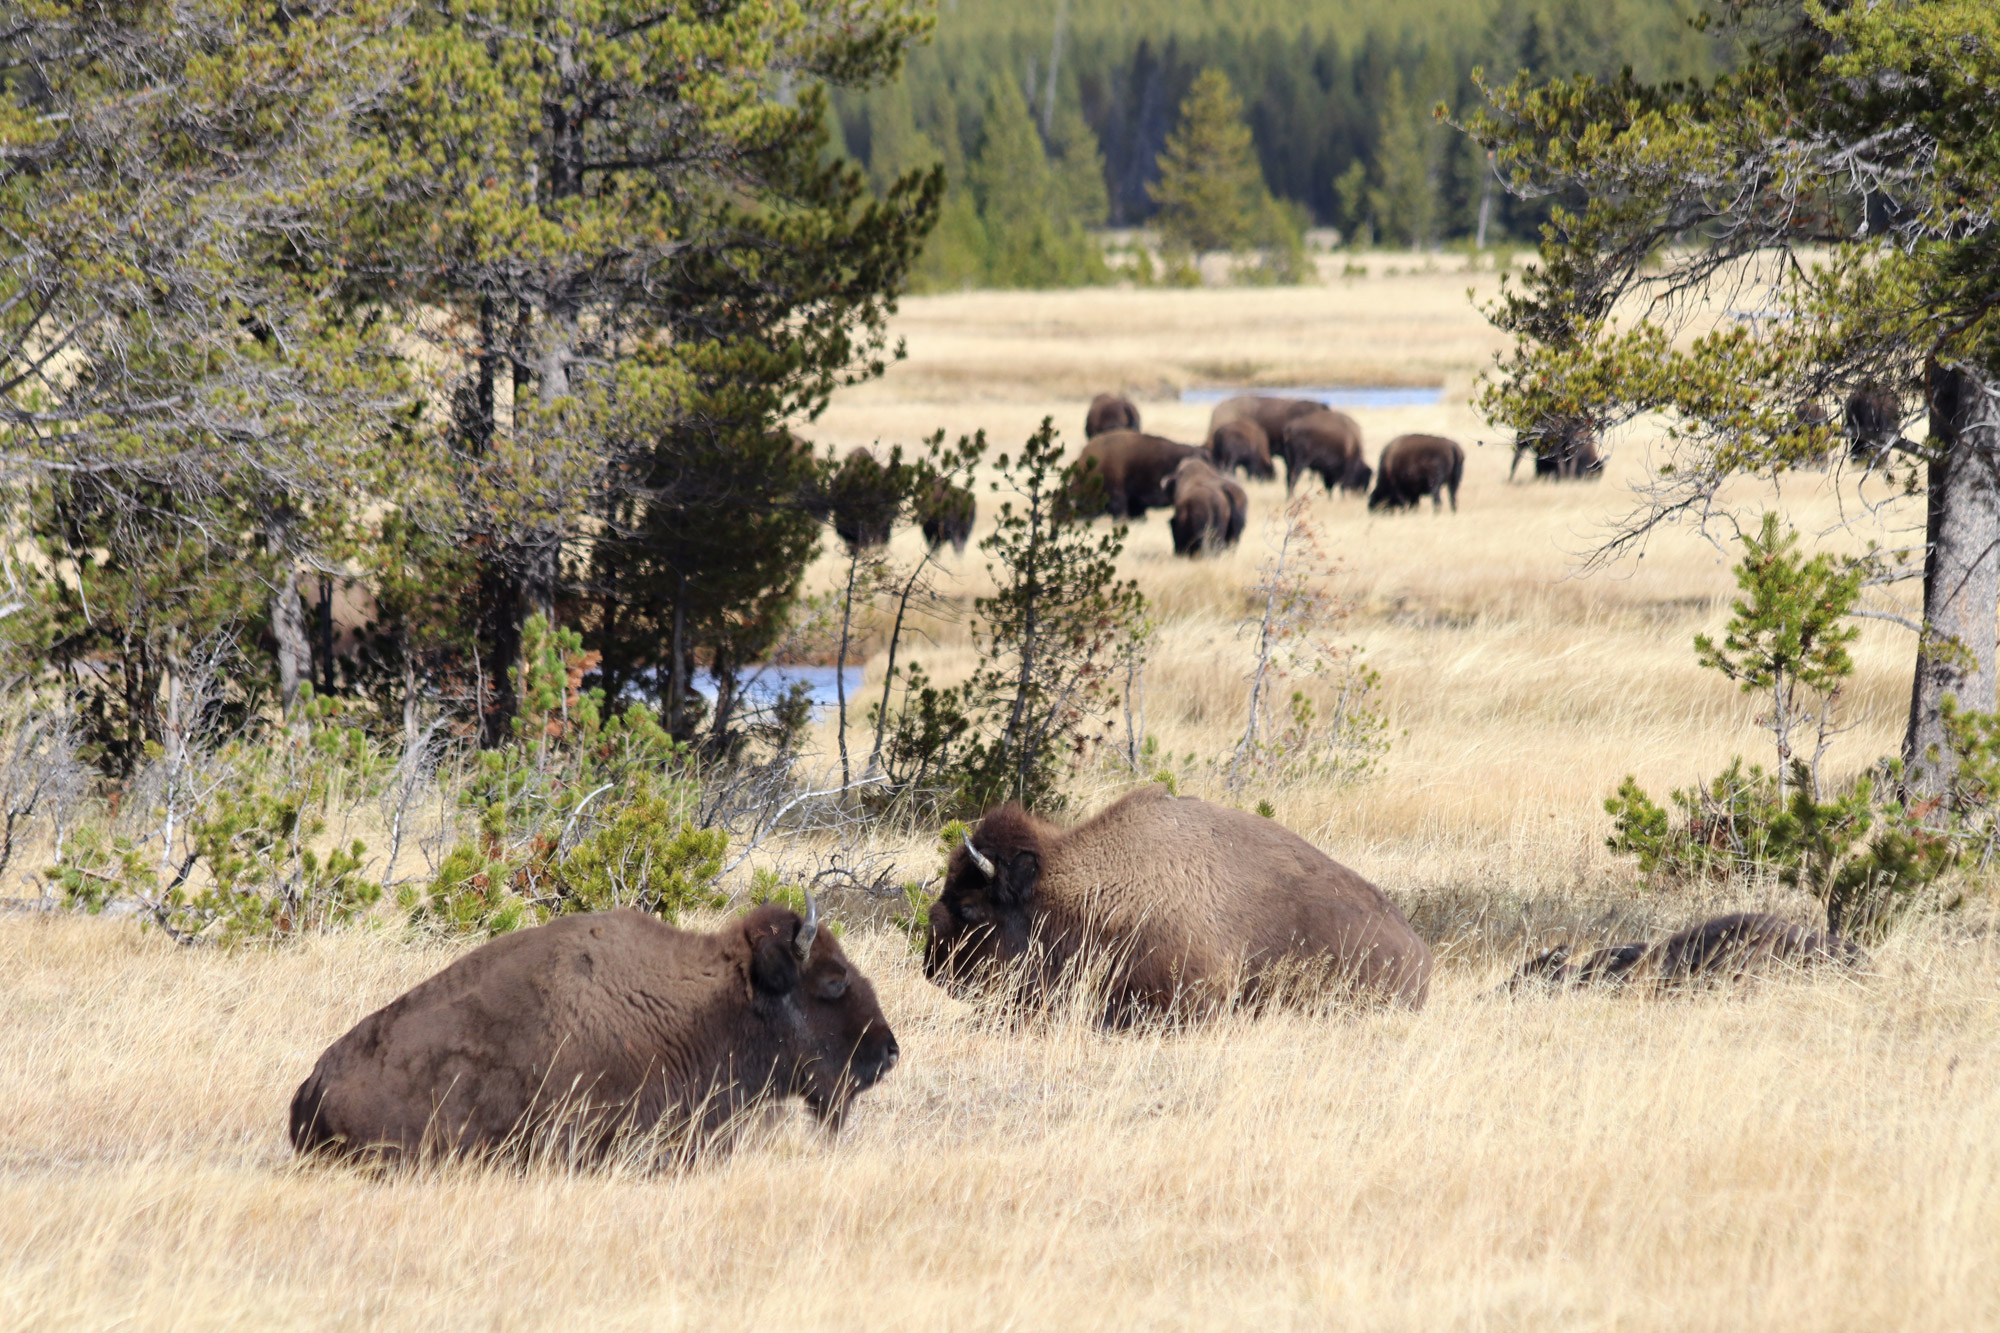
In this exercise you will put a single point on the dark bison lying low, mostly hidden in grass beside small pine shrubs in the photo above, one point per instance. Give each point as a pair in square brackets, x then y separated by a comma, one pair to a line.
[1717, 950]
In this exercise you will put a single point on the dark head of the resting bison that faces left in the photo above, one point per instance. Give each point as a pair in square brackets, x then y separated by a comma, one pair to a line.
[983, 916]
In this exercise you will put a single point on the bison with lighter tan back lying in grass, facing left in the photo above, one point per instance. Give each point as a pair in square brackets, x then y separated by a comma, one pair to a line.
[1165, 904]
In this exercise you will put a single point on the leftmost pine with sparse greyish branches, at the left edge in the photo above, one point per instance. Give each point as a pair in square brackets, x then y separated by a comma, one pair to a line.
[183, 373]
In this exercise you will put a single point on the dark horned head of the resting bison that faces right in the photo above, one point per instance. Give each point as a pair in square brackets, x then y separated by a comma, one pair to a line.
[833, 1040]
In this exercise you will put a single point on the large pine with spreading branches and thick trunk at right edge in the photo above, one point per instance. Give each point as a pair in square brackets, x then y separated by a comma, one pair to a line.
[1887, 273]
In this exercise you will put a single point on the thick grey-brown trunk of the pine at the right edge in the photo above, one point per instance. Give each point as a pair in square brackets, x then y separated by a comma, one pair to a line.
[1961, 569]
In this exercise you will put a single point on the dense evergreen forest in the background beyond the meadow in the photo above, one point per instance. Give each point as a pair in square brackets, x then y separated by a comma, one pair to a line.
[1339, 97]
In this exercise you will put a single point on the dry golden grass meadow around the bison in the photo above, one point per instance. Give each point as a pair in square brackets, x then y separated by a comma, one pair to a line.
[1807, 1154]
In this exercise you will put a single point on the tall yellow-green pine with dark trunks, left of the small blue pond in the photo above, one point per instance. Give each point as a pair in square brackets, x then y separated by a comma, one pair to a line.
[647, 253]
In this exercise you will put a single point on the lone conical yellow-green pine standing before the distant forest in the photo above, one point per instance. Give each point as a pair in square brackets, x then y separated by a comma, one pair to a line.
[1211, 189]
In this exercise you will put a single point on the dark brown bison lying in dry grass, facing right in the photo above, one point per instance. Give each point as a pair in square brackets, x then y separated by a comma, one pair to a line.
[595, 1026]
